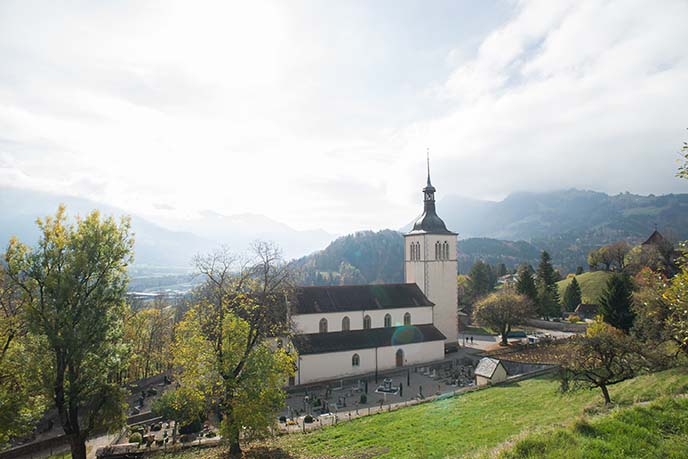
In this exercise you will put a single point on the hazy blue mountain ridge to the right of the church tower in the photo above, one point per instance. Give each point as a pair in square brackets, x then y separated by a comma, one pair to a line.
[568, 223]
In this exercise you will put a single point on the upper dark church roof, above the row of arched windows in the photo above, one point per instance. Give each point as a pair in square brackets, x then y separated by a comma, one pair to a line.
[341, 298]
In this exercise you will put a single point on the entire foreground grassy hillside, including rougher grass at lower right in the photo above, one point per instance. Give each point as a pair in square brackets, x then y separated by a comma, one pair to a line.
[509, 420]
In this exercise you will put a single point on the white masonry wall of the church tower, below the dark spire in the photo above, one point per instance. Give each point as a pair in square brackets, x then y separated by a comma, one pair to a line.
[436, 278]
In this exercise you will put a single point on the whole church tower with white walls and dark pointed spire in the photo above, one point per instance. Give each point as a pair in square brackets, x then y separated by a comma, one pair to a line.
[430, 261]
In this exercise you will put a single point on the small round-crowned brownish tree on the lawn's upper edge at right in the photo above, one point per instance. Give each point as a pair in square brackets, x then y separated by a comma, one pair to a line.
[604, 356]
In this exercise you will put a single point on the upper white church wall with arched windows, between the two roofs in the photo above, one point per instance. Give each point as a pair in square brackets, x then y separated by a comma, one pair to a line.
[310, 323]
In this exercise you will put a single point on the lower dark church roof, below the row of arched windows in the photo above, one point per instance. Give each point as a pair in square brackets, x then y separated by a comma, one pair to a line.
[320, 343]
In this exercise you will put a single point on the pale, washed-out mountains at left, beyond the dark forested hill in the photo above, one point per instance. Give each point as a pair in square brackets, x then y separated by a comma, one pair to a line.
[158, 250]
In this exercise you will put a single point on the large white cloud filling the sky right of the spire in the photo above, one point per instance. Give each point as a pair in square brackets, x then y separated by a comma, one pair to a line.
[567, 94]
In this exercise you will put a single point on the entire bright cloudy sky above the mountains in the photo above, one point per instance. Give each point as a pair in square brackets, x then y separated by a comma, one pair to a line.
[319, 114]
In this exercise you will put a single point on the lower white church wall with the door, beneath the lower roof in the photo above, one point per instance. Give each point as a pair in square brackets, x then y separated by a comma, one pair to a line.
[335, 365]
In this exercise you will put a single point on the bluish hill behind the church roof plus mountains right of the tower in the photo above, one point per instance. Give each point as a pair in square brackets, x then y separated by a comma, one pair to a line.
[566, 223]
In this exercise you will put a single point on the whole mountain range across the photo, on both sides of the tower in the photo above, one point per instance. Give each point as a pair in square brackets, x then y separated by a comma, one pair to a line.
[567, 223]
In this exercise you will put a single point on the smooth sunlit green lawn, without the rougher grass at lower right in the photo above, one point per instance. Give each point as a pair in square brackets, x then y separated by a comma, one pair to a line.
[472, 424]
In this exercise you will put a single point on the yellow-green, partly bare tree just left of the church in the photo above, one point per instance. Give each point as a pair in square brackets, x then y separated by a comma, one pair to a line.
[226, 344]
